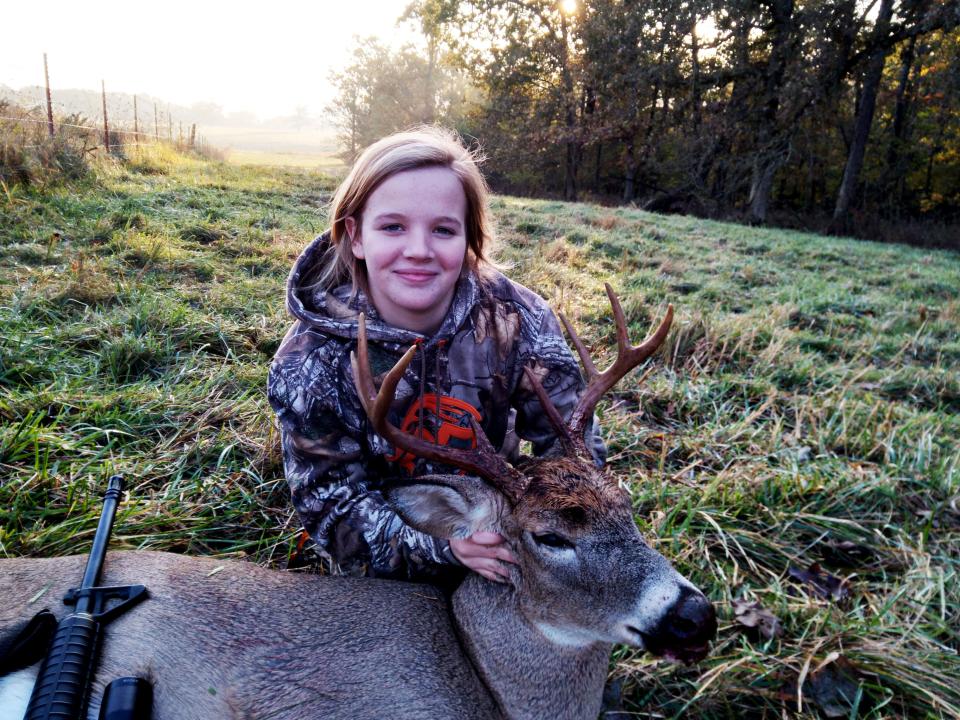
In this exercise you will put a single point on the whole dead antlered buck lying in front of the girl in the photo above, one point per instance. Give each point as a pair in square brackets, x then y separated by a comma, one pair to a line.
[227, 639]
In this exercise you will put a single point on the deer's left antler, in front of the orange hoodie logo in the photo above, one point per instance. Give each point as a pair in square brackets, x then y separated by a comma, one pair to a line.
[483, 461]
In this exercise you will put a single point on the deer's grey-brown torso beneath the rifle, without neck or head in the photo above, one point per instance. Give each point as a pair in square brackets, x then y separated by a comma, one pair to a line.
[247, 642]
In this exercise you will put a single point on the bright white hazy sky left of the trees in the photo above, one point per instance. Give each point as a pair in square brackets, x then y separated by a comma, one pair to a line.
[239, 56]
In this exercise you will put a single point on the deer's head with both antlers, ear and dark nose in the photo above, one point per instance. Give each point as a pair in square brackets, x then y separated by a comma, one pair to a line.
[584, 573]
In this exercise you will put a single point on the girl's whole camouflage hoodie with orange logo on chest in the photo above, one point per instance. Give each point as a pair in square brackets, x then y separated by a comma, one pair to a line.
[333, 460]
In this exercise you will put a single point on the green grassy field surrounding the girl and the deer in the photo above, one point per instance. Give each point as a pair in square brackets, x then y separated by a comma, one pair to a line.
[805, 409]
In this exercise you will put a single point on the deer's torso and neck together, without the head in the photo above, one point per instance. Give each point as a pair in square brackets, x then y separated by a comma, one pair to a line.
[227, 639]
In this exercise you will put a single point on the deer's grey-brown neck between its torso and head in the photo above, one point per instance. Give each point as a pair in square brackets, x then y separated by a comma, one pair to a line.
[528, 675]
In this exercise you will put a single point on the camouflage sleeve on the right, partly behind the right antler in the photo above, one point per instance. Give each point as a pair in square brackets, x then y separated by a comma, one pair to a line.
[552, 362]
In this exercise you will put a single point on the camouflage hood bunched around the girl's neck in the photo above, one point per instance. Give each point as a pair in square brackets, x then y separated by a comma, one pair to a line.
[336, 312]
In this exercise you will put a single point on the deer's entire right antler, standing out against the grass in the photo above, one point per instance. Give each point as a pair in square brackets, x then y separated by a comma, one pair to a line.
[571, 434]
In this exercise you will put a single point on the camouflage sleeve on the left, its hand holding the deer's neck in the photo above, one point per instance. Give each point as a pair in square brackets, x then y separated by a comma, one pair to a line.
[333, 487]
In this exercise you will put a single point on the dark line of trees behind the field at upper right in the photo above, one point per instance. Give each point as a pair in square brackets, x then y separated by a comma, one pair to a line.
[833, 114]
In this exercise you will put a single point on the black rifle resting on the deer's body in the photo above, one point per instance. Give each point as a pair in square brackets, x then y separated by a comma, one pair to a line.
[67, 671]
